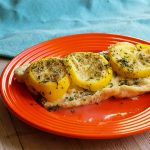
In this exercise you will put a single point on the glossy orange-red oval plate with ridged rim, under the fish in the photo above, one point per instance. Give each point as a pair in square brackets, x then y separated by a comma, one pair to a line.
[110, 119]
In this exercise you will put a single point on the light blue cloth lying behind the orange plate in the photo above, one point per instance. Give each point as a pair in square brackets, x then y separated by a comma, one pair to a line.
[24, 23]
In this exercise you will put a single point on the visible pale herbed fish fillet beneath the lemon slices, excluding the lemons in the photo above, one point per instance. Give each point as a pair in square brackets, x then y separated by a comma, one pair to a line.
[124, 89]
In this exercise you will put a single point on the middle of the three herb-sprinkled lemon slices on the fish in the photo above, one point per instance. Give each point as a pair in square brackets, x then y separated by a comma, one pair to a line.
[88, 70]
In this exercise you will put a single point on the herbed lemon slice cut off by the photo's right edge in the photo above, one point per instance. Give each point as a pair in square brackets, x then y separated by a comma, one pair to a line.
[130, 60]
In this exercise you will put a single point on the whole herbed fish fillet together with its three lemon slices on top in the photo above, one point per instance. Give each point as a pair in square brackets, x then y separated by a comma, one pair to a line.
[84, 78]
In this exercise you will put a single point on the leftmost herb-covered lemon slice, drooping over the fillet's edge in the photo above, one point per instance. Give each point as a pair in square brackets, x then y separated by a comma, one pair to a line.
[47, 77]
